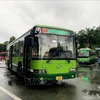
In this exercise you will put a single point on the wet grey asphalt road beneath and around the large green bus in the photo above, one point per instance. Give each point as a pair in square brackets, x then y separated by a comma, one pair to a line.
[80, 88]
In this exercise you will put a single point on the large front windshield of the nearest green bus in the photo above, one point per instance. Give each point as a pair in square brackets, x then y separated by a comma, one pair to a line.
[55, 46]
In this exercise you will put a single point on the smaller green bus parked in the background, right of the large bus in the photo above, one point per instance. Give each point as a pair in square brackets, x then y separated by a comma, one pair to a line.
[86, 56]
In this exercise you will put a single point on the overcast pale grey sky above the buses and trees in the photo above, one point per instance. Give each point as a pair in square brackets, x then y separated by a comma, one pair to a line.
[19, 16]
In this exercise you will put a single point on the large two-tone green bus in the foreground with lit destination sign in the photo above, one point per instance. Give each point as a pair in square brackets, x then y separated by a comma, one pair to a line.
[43, 53]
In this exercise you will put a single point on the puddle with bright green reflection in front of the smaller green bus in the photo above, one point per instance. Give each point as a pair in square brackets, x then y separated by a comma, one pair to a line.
[89, 73]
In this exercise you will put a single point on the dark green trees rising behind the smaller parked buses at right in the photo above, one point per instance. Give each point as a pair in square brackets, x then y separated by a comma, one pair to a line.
[89, 37]
